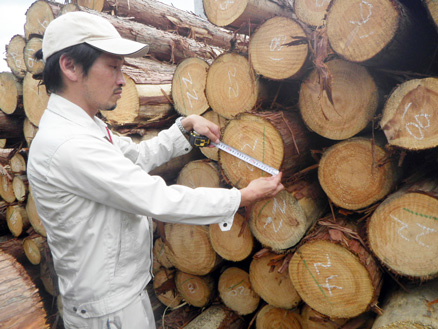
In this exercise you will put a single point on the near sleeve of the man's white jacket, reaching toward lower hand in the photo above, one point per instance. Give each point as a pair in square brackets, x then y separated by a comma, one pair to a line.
[97, 170]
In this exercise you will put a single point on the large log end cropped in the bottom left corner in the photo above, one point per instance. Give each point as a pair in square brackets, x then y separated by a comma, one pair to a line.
[19, 293]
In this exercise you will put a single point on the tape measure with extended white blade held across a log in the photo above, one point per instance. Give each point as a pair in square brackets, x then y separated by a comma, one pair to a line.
[202, 141]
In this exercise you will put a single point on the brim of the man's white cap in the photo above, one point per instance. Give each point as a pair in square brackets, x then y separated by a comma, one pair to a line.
[120, 46]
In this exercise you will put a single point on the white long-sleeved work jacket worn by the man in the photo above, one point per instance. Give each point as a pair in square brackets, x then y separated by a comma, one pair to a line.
[93, 194]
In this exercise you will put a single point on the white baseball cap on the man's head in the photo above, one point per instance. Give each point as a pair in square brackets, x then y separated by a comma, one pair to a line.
[78, 27]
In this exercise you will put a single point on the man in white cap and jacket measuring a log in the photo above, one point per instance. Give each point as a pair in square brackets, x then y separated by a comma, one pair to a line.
[92, 188]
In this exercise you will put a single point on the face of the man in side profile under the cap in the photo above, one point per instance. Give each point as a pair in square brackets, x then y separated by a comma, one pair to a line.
[102, 87]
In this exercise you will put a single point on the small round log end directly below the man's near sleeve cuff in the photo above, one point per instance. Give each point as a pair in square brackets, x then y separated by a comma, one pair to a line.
[233, 245]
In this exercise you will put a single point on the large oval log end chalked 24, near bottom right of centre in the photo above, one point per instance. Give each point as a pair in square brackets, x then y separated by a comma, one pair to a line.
[331, 279]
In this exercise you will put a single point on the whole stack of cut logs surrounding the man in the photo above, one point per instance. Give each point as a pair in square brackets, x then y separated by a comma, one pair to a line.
[340, 95]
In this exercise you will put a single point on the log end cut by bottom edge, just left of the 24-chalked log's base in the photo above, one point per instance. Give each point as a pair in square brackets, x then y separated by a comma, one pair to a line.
[271, 317]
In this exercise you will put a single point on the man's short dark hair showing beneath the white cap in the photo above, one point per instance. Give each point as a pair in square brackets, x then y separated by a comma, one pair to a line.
[82, 54]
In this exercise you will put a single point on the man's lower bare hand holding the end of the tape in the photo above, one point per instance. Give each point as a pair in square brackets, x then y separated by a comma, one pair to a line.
[261, 188]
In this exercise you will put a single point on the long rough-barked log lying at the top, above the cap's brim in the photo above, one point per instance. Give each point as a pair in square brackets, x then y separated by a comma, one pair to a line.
[169, 18]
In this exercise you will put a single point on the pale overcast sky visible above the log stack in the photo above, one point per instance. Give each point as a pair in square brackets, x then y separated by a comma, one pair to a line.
[12, 19]
